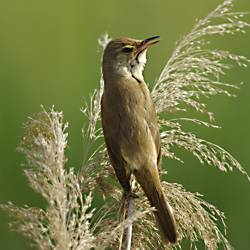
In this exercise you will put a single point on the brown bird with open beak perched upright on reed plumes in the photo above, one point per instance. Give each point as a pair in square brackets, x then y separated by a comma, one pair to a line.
[130, 125]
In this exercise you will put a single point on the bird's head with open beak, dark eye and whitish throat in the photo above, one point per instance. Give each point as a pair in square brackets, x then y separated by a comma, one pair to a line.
[126, 57]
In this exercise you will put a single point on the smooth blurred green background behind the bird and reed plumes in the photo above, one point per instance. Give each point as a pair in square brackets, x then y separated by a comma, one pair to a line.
[49, 55]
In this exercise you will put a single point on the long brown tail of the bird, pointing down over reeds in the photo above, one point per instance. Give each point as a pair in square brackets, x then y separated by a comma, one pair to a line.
[151, 185]
